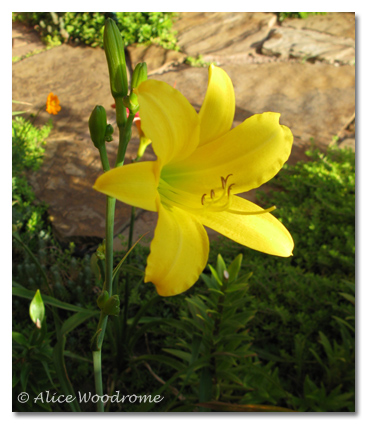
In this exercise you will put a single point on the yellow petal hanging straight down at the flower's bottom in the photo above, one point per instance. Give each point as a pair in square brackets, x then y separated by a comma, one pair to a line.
[179, 252]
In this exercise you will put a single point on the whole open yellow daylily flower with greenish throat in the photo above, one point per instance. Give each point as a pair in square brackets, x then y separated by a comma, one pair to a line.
[202, 164]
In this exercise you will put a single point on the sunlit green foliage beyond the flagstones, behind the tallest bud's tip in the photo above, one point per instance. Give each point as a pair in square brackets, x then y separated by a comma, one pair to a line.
[87, 27]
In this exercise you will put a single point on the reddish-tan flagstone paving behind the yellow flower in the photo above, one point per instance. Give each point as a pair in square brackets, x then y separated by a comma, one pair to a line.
[313, 87]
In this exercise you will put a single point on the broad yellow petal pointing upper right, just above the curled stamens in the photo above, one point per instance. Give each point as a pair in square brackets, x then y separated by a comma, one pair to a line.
[252, 153]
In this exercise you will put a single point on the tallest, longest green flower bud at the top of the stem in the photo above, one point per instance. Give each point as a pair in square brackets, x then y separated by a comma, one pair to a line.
[114, 50]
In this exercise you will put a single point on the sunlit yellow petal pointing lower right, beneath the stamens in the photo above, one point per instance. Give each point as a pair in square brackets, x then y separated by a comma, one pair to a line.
[262, 232]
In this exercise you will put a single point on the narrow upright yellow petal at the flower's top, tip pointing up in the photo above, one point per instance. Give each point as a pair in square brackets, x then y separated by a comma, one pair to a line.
[218, 108]
